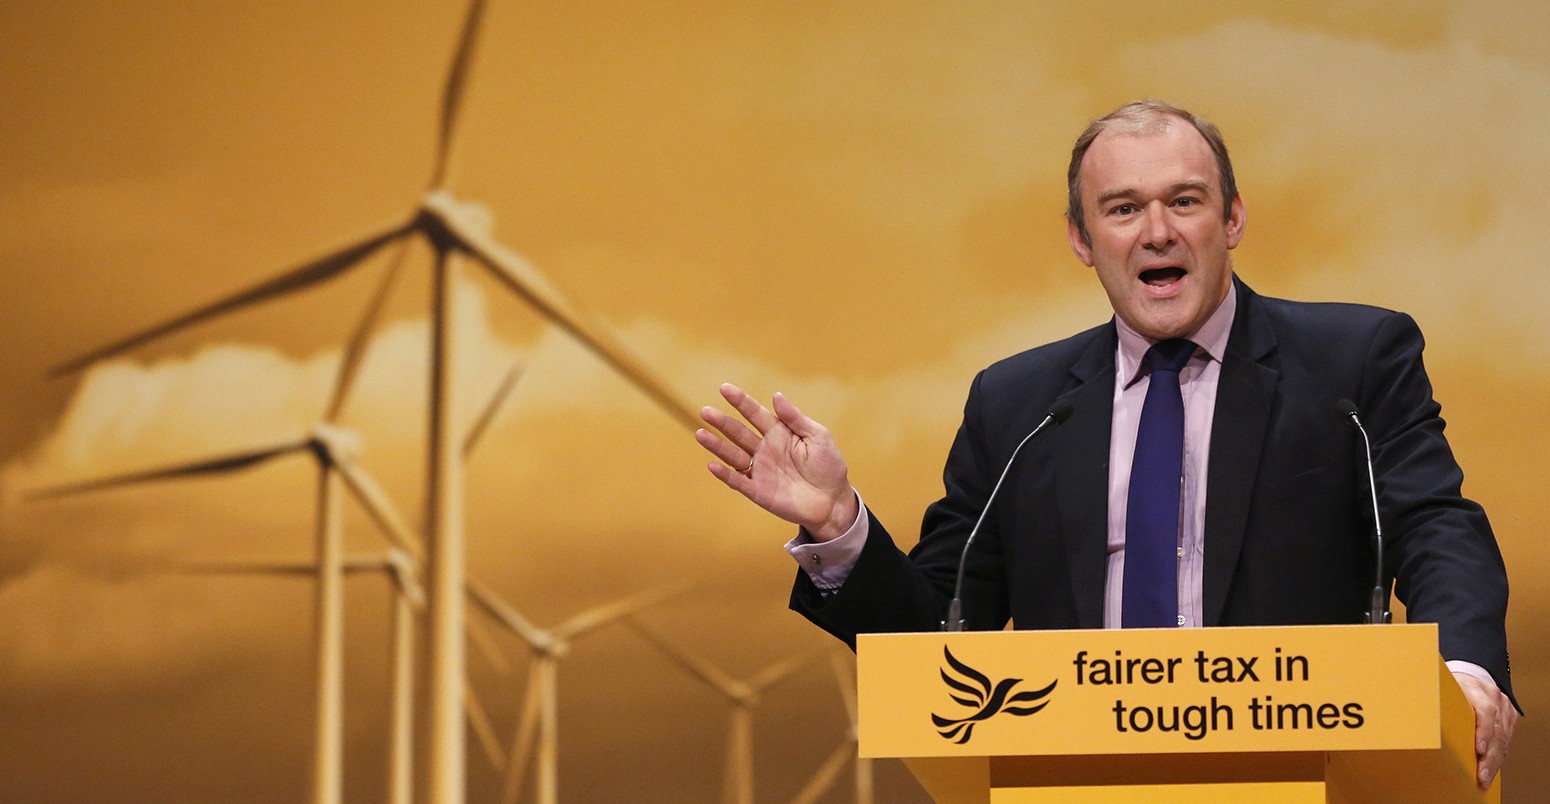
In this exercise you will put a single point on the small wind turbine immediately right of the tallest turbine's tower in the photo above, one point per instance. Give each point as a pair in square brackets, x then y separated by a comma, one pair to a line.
[540, 718]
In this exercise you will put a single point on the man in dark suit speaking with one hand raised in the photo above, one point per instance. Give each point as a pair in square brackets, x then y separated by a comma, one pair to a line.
[1272, 524]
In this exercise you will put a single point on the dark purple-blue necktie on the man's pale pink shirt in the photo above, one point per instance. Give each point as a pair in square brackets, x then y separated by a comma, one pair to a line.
[1151, 594]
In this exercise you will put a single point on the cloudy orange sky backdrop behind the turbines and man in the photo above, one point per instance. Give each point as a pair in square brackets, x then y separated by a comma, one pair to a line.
[858, 205]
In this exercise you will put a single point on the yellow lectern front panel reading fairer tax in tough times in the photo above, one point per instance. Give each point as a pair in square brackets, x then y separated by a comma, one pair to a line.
[1331, 689]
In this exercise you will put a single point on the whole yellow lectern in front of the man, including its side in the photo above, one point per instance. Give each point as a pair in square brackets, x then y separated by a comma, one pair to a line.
[1307, 715]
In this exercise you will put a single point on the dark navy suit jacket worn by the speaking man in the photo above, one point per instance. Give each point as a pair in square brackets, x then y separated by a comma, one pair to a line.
[1289, 518]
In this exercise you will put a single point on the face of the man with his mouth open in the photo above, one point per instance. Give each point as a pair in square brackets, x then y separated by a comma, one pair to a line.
[1154, 211]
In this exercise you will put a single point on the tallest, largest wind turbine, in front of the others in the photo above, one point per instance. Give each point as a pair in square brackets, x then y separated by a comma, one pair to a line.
[452, 228]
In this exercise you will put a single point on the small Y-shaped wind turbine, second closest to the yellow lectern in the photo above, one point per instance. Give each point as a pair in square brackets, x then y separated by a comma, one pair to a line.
[745, 698]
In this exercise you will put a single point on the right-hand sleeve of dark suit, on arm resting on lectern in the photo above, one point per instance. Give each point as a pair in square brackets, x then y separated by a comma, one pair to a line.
[1439, 545]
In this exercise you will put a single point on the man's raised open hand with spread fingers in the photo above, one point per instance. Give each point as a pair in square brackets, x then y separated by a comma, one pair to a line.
[787, 462]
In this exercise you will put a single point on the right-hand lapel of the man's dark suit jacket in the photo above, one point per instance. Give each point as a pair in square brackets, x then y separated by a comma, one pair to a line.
[1245, 396]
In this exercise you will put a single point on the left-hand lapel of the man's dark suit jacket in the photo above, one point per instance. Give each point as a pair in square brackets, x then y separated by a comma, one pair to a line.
[1081, 461]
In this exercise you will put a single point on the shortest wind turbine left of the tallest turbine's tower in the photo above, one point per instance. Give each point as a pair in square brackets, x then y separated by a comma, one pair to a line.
[408, 597]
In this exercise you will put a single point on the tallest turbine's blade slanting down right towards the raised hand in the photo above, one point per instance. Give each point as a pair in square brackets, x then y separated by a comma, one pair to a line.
[526, 281]
